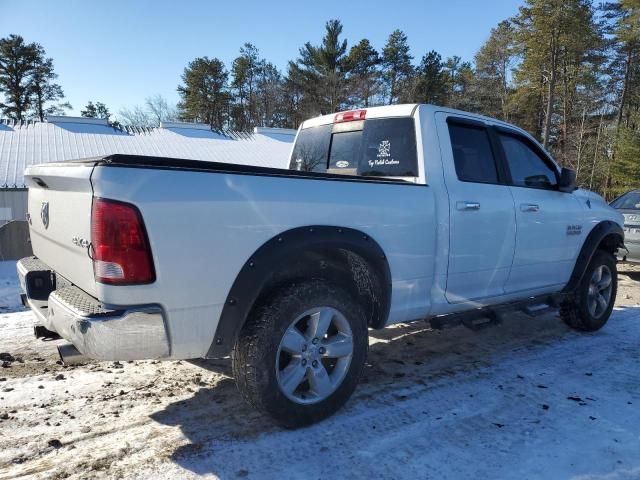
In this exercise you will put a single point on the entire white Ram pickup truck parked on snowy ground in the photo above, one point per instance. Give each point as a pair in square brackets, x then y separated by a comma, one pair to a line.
[386, 215]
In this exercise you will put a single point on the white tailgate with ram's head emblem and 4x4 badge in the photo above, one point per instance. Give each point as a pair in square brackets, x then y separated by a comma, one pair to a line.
[60, 198]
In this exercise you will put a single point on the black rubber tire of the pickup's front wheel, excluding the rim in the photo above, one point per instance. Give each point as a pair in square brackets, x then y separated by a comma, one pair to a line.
[575, 311]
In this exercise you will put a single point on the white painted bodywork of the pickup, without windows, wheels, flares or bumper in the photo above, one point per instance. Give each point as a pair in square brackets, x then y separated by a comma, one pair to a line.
[204, 226]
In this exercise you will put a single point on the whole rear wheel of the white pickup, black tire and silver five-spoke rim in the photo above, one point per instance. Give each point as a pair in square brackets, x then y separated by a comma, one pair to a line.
[300, 356]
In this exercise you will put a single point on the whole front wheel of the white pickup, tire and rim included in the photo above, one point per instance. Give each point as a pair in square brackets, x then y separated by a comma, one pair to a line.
[592, 303]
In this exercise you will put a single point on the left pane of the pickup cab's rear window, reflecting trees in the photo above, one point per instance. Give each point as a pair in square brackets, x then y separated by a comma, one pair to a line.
[311, 149]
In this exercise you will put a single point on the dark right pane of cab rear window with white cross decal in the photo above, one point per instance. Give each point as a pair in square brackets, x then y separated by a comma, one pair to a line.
[389, 148]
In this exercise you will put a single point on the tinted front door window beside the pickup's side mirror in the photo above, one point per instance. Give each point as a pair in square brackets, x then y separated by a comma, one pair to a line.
[528, 169]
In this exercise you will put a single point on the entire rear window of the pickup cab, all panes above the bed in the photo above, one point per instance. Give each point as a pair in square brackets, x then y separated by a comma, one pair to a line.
[376, 147]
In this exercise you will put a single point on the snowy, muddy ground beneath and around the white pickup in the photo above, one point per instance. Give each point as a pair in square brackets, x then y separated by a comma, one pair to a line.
[527, 399]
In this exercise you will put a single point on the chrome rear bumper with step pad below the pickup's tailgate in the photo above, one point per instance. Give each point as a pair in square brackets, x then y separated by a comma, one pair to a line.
[97, 331]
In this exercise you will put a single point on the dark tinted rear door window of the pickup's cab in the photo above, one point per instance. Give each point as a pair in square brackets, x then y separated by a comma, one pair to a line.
[472, 154]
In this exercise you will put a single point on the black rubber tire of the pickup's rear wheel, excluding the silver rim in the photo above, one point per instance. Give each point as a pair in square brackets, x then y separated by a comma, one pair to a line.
[256, 350]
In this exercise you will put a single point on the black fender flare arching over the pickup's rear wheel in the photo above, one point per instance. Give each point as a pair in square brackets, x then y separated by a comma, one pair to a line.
[274, 258]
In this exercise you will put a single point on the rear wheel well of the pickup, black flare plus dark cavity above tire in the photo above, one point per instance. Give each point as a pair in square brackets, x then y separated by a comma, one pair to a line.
[343, 257]
